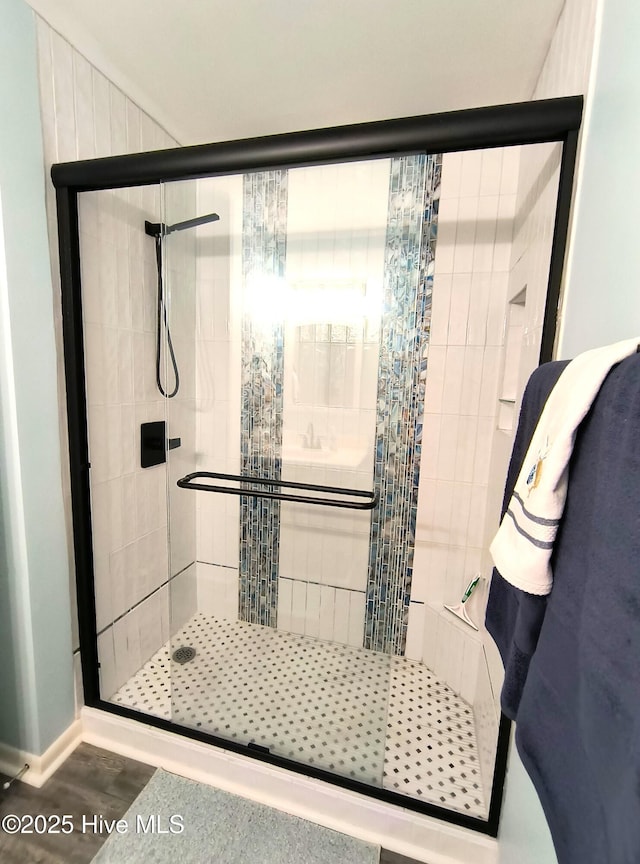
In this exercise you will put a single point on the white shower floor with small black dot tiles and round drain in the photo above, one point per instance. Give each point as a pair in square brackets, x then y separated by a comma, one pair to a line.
[386, 721]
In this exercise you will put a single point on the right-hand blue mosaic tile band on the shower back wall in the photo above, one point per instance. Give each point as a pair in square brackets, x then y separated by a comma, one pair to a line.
[414, 194]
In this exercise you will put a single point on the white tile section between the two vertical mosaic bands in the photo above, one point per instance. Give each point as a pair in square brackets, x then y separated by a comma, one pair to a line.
[335, 261]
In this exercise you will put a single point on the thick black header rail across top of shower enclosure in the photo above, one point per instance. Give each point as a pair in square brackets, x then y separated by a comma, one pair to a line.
[531, 122]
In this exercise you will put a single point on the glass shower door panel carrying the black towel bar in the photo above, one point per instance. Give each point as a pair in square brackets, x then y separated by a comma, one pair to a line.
[287, 318]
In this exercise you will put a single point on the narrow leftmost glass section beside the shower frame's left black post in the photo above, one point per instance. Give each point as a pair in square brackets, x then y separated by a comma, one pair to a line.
[128, 501]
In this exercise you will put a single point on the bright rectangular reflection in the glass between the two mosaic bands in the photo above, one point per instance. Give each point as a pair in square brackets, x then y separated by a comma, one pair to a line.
[335, 331]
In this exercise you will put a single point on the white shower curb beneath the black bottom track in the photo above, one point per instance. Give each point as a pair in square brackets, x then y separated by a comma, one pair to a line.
[394, 828]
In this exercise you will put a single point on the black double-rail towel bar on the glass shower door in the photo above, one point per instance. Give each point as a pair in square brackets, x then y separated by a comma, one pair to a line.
[371, 498]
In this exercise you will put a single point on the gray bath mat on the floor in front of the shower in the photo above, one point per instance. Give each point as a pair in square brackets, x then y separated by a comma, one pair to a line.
[222, 829]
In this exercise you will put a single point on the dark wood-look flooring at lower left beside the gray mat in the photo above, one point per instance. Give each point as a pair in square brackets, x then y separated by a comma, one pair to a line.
[90, 782]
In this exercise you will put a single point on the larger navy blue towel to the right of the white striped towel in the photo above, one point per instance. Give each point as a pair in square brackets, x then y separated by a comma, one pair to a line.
[578, 718]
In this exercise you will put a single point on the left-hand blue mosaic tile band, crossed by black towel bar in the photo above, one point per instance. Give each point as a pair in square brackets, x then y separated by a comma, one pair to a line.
[264, 238]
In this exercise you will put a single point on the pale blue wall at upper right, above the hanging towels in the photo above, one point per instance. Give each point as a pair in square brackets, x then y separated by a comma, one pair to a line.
[603, 292]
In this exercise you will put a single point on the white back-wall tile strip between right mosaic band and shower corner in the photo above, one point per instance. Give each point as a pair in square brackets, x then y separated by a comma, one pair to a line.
[464, 363]
